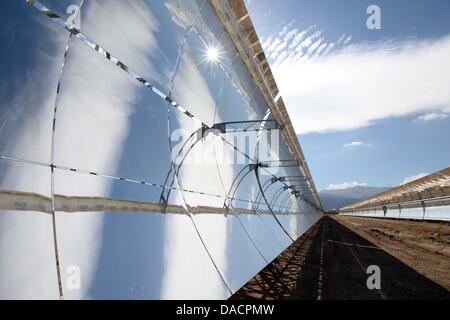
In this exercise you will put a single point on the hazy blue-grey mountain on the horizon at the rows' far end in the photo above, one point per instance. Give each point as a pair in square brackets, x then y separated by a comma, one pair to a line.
[338, 198]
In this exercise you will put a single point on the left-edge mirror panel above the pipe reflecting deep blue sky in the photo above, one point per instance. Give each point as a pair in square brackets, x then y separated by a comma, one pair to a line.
[28, 92]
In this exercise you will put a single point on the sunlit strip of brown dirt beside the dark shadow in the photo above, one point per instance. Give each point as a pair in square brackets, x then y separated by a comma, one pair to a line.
[422, 245]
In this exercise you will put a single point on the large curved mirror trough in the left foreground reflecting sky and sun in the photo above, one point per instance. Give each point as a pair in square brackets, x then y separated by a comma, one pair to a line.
[108, 125]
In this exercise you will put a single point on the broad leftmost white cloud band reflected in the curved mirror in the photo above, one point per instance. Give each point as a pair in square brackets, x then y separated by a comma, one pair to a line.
[95, 103]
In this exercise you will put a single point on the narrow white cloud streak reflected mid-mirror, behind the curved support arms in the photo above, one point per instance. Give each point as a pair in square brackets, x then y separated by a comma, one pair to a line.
[191, 90]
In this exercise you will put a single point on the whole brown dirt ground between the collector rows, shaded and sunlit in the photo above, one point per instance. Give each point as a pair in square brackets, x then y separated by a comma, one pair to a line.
[330, 261]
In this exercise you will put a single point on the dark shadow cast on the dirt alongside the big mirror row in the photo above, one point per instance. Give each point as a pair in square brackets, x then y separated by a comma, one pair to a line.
[329, 262]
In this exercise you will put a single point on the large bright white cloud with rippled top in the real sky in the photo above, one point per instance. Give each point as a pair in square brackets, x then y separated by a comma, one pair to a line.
[357, 84]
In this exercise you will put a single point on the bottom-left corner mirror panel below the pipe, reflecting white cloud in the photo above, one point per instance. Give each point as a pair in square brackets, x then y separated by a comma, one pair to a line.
[28, 269]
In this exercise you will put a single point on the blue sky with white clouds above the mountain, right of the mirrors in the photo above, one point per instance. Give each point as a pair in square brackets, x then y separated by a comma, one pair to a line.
[370, 107]
